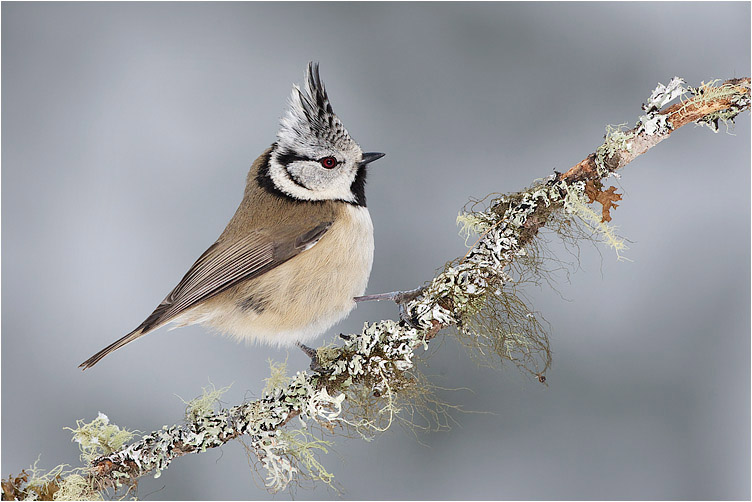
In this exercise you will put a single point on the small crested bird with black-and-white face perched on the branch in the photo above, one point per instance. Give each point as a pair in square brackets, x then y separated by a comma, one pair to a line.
[299, 247]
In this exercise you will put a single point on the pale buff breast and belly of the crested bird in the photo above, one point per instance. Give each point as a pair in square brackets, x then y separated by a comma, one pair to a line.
[305, 296]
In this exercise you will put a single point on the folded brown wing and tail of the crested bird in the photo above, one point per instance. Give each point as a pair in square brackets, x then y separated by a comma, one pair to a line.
[223, 265]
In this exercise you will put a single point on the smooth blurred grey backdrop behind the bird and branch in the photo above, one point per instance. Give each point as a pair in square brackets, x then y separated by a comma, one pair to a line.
[127, 132]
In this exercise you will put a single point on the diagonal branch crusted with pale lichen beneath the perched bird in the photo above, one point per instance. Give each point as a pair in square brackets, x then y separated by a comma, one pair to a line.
[363, 384]
